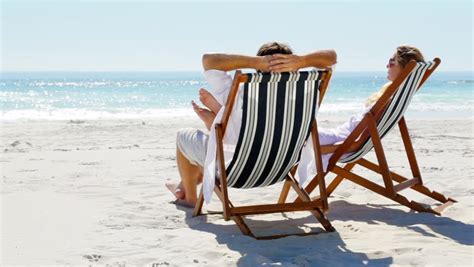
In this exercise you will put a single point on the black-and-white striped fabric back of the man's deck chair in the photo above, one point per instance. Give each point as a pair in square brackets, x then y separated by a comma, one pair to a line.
[278, 111]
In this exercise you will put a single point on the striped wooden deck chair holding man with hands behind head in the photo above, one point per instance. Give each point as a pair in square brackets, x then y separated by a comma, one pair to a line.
[277, 116]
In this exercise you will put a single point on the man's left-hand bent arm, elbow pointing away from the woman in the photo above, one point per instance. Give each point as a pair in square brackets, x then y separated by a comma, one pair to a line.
[228, 62]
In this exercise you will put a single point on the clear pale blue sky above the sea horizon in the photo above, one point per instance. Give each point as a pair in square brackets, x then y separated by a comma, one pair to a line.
[163, 35]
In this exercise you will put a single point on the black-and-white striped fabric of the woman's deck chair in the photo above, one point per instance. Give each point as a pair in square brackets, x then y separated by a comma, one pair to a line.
[394, 109]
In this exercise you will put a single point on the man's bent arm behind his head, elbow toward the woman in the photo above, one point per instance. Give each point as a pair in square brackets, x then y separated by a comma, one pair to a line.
[318, 59]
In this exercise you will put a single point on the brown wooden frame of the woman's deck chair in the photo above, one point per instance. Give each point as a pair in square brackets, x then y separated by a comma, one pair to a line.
[367, 128]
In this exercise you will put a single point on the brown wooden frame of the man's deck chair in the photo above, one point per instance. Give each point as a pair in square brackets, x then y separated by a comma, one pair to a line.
[237, 213]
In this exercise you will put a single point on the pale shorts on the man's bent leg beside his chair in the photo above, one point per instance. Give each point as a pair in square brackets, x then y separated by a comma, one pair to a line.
[193, 144]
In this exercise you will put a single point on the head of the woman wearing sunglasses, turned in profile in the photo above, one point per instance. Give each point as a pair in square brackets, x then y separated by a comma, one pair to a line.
[400, 59]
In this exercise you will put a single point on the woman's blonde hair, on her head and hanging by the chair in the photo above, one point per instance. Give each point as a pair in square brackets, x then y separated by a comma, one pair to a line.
[403, 55]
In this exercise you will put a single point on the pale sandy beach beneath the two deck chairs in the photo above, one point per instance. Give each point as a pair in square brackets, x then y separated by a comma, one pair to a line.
[93, 192]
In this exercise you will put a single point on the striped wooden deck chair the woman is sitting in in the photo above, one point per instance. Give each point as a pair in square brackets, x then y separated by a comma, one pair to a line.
[387, 112]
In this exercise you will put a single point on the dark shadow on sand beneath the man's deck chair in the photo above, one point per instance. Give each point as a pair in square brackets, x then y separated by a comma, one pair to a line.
[325, 249]
